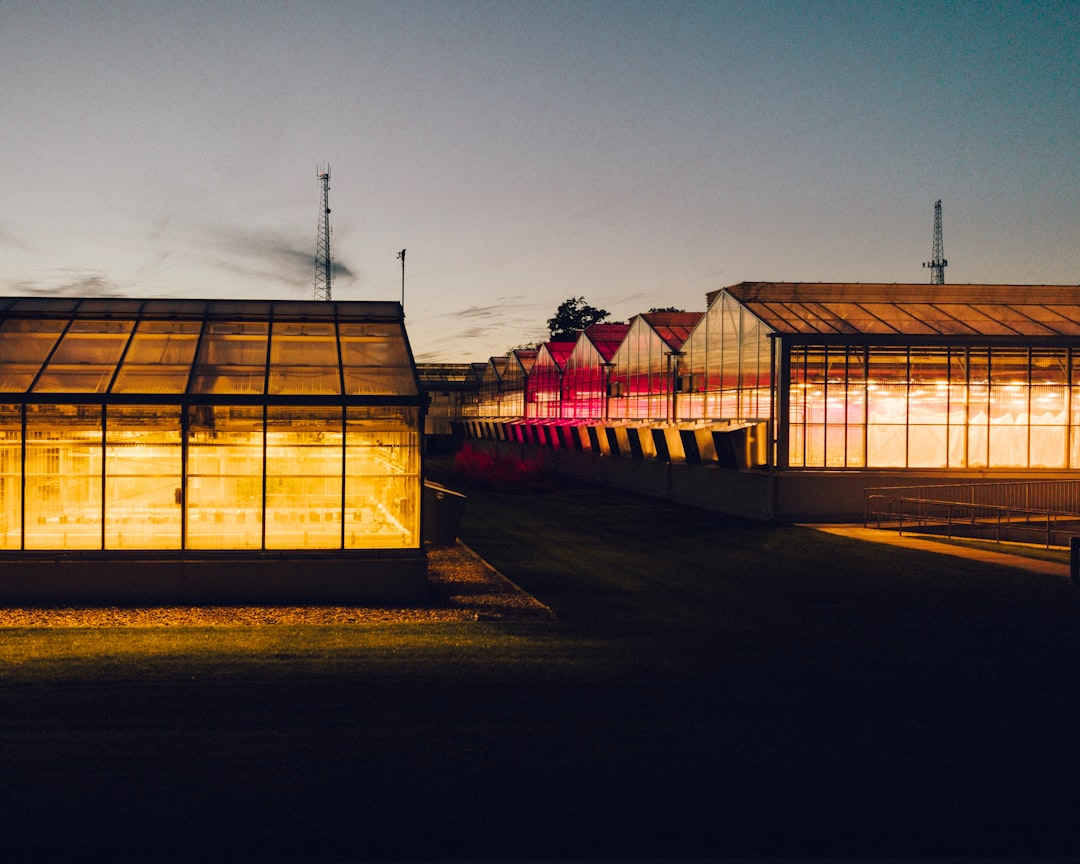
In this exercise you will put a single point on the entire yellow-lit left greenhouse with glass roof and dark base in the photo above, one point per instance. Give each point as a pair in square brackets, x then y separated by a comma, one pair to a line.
[247, 448]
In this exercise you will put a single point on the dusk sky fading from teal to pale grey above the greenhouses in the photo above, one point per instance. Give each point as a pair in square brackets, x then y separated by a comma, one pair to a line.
[637, 154]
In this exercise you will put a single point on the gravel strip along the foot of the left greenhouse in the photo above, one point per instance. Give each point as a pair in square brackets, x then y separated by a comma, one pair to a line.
[462, 587]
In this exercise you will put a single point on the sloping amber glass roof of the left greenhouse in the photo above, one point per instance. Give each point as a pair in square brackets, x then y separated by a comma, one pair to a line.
[205, 348]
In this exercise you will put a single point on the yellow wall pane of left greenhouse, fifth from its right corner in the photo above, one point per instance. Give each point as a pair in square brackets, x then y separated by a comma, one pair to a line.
[63, 477]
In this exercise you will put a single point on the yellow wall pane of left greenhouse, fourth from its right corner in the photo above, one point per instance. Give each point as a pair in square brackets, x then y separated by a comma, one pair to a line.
[143, 479]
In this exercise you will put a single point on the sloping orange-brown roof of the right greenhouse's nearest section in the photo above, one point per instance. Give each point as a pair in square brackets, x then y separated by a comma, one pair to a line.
[897, 309]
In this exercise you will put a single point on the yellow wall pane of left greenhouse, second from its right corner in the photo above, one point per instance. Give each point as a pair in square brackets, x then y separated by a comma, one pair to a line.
[304, 479]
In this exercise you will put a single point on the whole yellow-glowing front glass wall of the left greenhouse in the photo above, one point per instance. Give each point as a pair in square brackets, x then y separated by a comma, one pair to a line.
[334, 479]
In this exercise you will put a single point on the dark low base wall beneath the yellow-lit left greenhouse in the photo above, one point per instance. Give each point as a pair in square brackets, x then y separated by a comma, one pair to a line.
[330, 580]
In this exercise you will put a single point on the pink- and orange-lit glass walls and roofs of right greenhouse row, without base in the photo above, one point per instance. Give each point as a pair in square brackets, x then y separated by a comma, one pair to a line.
[847, 376]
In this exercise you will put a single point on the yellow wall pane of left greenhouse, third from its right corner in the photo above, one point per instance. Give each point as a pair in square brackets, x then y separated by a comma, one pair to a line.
[225, 478]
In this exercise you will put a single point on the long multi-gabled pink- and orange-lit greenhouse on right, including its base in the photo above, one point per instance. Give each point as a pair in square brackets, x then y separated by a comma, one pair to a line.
[790, 400]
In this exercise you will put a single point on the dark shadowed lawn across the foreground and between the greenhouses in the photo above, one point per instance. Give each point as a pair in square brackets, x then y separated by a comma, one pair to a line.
[713, 688]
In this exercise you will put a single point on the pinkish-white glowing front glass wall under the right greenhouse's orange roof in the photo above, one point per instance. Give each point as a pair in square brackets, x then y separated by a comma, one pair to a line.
[934, 408]
